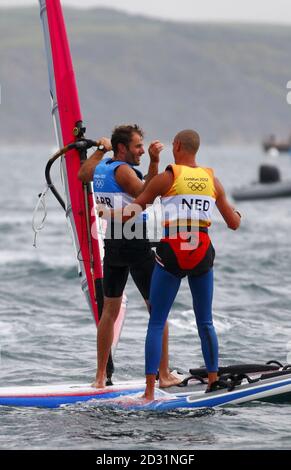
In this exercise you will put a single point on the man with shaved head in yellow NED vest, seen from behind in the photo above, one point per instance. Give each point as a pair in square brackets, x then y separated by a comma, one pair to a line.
[188, 195]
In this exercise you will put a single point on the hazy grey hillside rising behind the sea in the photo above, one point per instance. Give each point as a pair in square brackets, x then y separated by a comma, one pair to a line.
[227, 81]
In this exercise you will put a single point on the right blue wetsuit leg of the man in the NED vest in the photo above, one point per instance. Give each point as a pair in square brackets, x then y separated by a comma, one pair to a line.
[202, 294]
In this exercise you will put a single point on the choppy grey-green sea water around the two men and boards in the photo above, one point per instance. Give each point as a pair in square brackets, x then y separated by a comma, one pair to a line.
[47, 335]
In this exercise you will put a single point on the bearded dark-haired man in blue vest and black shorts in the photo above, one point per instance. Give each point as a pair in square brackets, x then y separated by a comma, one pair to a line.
[117, 182]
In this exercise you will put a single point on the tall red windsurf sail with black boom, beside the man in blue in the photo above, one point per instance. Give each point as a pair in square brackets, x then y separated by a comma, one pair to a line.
[79, 205]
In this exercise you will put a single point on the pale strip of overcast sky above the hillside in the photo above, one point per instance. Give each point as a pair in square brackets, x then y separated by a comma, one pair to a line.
[278, 11]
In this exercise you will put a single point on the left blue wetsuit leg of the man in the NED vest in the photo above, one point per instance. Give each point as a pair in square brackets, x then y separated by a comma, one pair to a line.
[164, 288]
